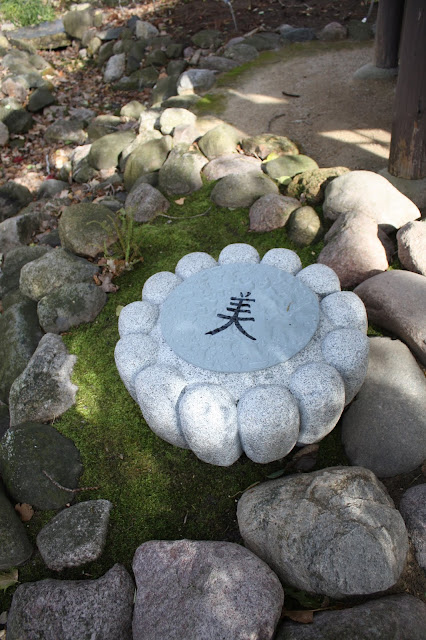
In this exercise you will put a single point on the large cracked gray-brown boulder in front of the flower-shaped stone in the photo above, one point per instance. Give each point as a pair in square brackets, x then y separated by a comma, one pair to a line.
[334, 532]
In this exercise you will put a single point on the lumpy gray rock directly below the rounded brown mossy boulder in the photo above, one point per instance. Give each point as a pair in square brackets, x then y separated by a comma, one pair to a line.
[56, 268]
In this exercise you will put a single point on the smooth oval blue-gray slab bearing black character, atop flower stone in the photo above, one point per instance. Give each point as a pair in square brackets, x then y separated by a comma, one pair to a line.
[239, 317]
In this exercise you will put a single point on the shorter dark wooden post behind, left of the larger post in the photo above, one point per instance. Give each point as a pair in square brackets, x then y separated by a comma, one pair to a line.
[388, 30]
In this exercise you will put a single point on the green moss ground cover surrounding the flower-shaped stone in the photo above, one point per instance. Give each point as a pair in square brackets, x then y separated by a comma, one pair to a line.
[158, 491]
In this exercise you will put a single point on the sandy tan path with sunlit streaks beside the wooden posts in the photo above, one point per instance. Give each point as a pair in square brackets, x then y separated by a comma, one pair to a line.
[336, 120]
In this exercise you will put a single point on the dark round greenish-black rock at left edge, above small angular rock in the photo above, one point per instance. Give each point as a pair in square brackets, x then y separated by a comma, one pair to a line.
[29, 450]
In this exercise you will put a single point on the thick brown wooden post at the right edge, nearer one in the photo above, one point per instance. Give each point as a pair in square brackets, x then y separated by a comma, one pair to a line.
[407, 157]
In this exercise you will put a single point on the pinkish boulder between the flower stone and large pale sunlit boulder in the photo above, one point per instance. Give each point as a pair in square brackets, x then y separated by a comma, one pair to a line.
[356, 249]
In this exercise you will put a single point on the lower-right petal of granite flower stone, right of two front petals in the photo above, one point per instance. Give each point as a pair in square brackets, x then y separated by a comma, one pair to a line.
[320, 393]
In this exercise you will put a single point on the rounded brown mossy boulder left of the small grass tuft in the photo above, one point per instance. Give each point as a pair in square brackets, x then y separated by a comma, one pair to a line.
[87, 229]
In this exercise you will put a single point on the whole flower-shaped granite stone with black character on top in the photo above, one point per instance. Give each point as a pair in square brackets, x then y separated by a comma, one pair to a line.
[243, 354]
